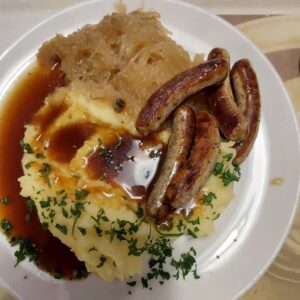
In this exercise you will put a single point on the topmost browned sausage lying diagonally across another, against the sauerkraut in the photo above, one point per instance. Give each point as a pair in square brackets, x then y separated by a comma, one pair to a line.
[172, 93]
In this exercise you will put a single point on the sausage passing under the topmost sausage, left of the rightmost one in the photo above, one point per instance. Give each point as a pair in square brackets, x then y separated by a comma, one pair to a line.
[231, 120]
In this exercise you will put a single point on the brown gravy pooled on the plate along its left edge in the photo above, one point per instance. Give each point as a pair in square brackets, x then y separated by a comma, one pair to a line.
[26, 98]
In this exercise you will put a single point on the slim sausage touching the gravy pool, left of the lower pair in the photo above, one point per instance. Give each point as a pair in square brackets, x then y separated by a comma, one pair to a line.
[178, 150]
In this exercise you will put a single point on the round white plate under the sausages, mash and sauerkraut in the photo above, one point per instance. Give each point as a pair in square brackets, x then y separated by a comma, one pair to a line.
[260, 215]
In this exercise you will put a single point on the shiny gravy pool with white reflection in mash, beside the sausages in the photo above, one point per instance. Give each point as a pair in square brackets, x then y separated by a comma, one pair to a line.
[128, 162]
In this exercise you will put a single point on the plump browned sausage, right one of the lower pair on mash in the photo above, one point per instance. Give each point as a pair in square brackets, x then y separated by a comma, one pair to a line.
[199, 166]
